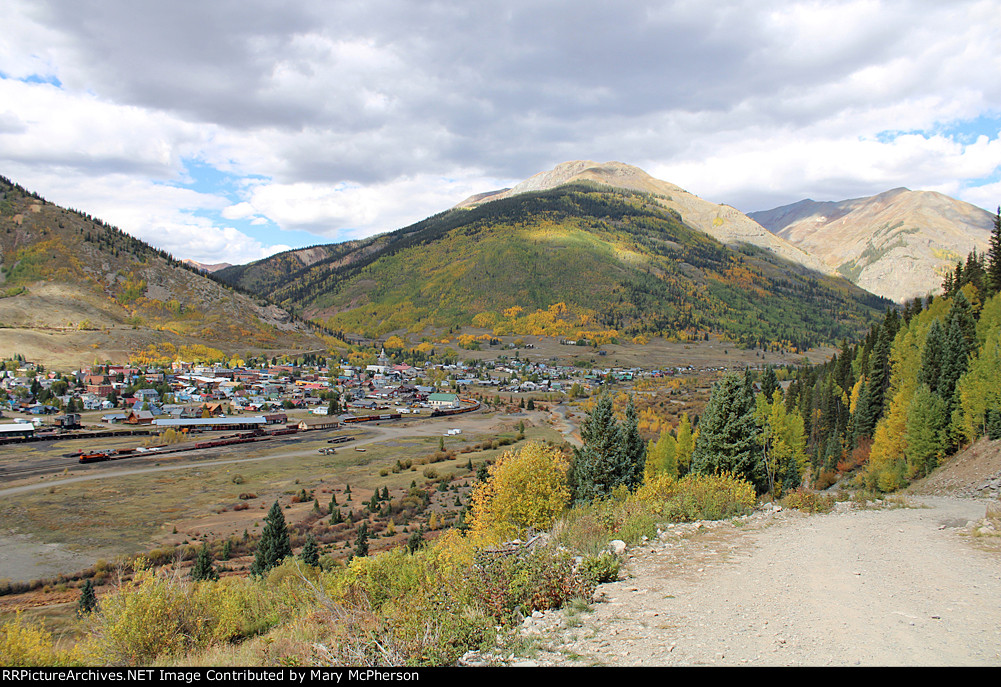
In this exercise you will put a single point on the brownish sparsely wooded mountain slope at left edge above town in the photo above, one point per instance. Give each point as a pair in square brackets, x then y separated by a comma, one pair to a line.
[74, 289]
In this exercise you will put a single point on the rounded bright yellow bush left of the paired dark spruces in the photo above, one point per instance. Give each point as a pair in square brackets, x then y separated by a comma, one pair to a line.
[526, 489]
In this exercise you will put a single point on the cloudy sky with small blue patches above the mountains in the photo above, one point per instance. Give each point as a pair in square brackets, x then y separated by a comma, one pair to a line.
[229, 131]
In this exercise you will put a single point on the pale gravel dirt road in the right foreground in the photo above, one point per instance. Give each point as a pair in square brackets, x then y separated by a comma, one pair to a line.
[889, 587]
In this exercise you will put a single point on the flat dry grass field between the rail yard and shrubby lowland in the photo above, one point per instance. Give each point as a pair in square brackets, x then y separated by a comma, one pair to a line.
[129, 514]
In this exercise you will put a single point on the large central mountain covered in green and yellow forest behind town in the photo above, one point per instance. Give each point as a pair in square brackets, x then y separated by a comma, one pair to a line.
[579, 260]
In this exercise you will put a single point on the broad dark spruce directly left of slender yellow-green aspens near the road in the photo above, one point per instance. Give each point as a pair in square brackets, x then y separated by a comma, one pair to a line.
[728, 434]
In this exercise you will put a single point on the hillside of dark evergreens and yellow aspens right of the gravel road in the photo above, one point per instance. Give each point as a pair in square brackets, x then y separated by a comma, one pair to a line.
[922, 385]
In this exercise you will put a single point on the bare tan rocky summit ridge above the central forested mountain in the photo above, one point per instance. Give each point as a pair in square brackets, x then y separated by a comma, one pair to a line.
[723, 223]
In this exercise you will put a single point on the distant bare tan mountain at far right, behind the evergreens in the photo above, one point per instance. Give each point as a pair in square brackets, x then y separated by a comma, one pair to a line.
[897, 245]
